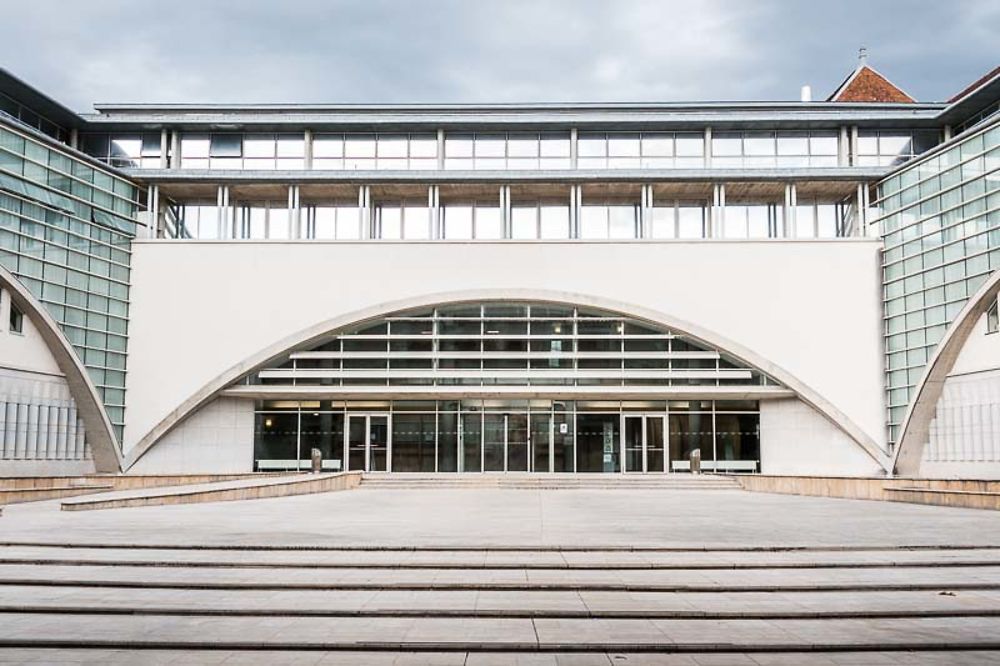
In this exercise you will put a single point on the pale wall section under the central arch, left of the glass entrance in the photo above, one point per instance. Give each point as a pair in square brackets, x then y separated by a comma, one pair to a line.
[218, 439]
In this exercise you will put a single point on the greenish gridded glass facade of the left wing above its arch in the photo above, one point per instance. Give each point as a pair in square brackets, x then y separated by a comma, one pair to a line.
[66, 229]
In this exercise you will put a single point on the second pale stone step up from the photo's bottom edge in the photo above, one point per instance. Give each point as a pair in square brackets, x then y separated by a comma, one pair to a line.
[495, 634]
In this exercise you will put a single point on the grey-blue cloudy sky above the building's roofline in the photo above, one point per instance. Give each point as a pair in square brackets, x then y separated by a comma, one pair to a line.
[86, 51]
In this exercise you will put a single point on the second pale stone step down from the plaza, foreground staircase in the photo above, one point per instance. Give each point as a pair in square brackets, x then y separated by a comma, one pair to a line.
[635, 580]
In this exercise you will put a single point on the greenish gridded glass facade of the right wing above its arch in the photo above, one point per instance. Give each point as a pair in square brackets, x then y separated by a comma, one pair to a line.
[938, 234]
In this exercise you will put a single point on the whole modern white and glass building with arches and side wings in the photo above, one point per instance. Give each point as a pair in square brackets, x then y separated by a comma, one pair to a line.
[789, 287]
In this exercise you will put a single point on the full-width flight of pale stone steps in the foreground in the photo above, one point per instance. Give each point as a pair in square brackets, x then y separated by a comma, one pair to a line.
[200, 603]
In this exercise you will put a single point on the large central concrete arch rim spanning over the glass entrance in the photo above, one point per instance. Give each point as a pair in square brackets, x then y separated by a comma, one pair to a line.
[314, 334]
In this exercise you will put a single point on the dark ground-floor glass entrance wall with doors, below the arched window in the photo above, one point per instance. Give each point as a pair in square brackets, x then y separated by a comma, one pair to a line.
[514, 435]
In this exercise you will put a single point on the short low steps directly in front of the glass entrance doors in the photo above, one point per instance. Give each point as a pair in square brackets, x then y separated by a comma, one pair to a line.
[524, 481]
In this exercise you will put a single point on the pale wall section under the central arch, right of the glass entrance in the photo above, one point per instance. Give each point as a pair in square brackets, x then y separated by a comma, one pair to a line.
[796, 439]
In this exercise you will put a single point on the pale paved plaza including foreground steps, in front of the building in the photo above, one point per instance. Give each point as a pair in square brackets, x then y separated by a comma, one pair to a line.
[503, 576]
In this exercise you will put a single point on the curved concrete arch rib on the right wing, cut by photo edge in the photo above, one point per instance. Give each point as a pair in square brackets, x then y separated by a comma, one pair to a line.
[915, 429]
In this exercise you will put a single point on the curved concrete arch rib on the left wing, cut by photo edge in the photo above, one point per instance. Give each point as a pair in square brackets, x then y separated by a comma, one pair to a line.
[100, 435]
